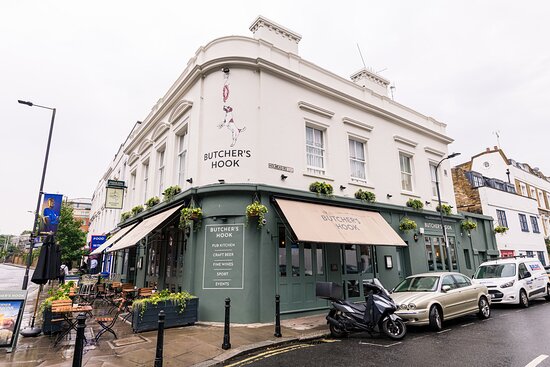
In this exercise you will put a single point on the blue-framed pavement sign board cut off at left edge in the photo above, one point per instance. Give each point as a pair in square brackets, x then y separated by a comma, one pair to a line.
[12, 304]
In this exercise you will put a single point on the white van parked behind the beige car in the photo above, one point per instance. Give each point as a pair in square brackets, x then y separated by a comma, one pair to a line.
[514, 280]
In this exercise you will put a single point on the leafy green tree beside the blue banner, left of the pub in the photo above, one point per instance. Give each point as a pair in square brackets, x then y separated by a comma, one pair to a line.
[71, 238]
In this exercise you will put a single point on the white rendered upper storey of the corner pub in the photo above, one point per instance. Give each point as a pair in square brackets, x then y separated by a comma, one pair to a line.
[249, 110]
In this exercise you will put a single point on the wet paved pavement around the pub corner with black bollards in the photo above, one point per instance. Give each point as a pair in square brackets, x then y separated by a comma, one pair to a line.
[196, 345]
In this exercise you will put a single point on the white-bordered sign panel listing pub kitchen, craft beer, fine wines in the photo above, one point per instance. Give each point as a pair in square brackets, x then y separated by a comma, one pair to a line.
[223, 257]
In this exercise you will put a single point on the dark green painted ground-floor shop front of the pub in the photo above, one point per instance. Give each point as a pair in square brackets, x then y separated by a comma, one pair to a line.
[227, 256]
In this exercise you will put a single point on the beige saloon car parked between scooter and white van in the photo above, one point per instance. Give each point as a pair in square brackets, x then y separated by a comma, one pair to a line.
[431, 298]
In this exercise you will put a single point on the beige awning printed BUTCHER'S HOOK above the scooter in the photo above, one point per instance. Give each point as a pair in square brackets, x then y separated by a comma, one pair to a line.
[332, 224]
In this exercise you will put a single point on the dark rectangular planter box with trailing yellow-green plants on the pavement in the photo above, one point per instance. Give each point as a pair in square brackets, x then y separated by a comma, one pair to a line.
[180, 309]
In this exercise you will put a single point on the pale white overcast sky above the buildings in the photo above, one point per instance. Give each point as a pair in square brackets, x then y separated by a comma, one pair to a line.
[479, 66]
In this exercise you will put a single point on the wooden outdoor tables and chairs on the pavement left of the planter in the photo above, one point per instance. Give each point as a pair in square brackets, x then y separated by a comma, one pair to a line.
[105, 301]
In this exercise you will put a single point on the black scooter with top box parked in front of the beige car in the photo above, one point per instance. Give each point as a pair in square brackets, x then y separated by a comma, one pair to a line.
[376, 315]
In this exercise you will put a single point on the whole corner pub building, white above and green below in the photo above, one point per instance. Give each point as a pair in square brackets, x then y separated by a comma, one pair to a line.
[247, 120]
